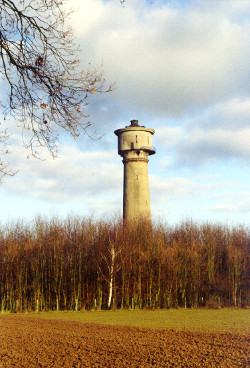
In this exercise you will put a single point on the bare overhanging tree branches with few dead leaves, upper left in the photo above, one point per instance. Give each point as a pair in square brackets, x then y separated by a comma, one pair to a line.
[45, 87]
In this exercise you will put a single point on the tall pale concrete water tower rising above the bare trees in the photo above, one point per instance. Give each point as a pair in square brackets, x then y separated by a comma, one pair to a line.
[135, 145]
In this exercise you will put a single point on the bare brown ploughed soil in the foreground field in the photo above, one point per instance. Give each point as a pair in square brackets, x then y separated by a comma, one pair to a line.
[35, 342]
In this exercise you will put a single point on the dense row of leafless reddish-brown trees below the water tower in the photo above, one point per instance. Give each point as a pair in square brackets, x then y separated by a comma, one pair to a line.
[79, 263]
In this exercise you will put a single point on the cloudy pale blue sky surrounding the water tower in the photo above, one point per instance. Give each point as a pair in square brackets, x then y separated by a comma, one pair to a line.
[179, 67]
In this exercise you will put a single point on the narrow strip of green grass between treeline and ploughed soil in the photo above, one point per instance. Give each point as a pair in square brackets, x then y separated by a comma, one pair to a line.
[200, 320]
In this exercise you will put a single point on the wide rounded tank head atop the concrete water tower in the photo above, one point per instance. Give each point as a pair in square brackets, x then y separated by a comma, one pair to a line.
[135, 137]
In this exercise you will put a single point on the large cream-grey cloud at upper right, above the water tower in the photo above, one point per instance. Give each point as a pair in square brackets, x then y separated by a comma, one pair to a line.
[167, 60]
